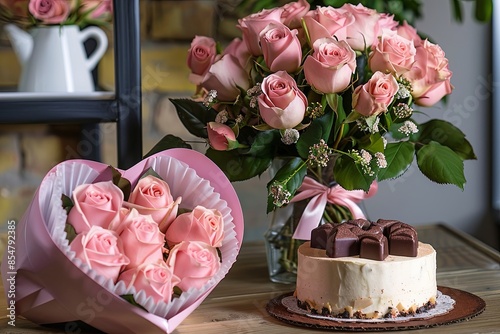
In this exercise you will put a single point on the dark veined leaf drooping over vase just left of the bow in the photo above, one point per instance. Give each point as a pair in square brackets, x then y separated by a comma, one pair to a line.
[290, 176]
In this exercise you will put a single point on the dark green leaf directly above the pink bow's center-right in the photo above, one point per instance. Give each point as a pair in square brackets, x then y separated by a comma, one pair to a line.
[350, 175]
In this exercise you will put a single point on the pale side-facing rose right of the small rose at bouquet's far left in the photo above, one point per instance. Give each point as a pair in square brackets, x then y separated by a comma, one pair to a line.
[226, 76]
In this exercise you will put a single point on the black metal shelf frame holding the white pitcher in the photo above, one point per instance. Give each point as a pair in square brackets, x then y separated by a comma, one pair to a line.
[124, 108]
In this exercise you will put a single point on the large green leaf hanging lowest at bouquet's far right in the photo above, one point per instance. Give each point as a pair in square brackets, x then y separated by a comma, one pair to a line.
[440, 164]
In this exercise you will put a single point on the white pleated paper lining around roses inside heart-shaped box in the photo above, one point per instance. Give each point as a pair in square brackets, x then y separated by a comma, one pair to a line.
[182, 180]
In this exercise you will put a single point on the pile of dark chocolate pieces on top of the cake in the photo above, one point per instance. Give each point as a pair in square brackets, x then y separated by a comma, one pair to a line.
[371, 240]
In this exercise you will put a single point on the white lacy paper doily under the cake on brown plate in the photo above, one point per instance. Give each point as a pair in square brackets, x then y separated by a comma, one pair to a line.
[444, 304]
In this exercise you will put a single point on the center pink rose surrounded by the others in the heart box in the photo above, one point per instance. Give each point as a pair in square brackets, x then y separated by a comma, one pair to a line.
[141, 238]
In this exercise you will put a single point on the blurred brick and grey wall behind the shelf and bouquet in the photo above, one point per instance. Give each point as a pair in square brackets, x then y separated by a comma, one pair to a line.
[27, 152]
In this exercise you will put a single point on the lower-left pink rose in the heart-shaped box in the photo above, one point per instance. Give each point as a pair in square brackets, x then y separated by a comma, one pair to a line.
[101, 250]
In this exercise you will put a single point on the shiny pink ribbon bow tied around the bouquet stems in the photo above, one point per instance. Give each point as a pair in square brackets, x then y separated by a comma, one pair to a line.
[320, 195]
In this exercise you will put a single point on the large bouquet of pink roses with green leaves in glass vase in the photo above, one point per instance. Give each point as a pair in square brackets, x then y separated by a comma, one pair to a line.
[330, 92]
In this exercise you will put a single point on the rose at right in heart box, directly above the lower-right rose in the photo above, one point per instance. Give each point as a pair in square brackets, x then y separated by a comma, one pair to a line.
[201, 224]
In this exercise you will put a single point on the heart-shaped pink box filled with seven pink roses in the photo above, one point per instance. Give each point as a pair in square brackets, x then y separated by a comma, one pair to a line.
[147, 244]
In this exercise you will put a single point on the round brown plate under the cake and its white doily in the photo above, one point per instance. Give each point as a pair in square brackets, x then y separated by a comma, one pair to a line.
[467, 306]
